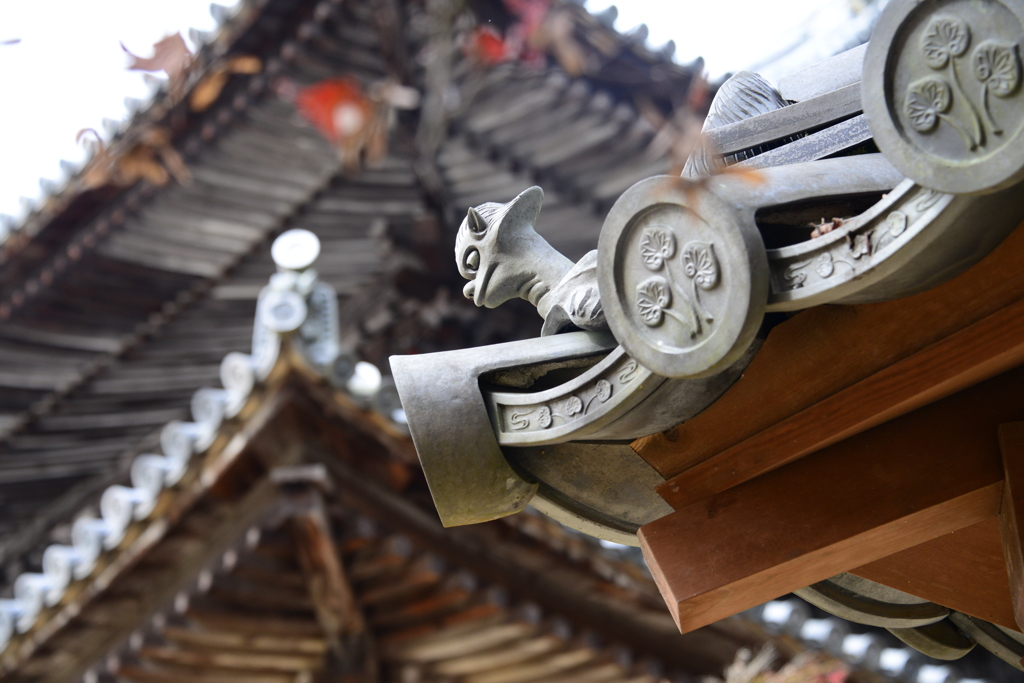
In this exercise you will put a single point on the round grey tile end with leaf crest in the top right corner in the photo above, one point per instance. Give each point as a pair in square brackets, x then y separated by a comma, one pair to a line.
[943, 93]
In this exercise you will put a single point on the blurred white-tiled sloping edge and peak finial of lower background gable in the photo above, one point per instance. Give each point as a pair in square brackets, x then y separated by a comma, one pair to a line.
[197, 456]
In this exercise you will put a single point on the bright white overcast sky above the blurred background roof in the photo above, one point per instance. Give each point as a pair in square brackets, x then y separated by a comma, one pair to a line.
[68, 72]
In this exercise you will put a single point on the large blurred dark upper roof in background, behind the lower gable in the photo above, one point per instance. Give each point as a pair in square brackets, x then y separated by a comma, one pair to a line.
[112, 293]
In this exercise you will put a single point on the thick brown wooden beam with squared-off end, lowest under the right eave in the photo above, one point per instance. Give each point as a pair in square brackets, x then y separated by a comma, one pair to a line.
[903, 484]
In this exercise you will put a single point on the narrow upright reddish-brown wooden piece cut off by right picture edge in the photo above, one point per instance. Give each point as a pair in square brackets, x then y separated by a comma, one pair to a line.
[1012, 513]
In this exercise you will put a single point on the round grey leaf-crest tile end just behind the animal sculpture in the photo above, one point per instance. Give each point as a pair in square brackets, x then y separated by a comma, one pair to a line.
[684, 281]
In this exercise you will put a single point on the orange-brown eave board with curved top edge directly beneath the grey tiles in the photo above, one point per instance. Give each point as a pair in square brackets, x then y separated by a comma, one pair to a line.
[833, 372]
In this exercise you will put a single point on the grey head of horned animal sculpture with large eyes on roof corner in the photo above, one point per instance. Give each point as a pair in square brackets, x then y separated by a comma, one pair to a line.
[502, 255]
